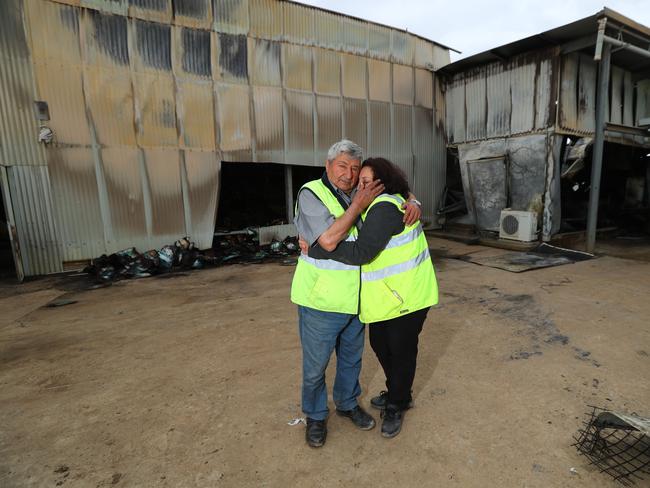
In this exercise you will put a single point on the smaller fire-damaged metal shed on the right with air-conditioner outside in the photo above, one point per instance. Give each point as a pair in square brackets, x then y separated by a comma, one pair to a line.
[525, 121]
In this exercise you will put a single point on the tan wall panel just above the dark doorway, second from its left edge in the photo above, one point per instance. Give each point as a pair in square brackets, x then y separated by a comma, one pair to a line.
[269, 130]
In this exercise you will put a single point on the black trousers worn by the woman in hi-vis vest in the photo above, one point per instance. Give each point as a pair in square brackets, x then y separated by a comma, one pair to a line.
[395, 343]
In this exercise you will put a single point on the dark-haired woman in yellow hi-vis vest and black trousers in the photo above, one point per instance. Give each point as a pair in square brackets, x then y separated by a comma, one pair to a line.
[398, 286]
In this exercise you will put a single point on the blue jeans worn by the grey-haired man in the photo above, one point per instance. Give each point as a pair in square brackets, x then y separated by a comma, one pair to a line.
[320, 334]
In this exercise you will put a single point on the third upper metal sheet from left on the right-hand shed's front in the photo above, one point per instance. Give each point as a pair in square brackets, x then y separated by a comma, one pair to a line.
[499, 106]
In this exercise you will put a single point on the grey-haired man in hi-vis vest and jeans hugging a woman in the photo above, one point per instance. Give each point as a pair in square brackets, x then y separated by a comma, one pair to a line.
[327, 292]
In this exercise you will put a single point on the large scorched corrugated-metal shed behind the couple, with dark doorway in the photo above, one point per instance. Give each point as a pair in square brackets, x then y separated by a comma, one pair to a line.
[122, 121]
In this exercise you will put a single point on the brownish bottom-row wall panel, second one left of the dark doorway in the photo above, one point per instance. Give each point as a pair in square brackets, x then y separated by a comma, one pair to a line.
[164, 182]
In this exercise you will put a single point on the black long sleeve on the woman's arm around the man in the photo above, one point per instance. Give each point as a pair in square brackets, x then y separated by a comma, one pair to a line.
[383, 221]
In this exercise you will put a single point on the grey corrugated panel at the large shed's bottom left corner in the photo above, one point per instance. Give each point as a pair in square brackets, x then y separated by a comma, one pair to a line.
[31, 198]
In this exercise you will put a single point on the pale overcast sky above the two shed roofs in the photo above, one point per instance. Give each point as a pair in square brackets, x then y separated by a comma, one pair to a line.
[473, 26]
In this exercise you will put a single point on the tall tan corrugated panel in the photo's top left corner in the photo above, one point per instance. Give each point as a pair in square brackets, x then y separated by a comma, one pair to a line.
[18, 122]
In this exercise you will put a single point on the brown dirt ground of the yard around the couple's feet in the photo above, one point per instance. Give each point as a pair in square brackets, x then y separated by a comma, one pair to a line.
[190, 381]
